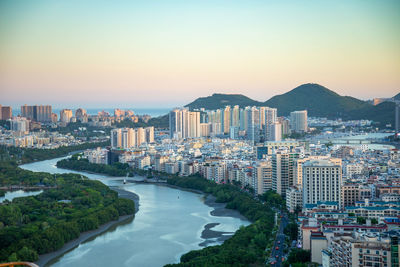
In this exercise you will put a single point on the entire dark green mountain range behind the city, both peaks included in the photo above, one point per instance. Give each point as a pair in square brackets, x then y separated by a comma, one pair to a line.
[316, 99]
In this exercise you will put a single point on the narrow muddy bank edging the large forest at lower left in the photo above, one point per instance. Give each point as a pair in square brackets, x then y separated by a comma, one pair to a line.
[44, 259]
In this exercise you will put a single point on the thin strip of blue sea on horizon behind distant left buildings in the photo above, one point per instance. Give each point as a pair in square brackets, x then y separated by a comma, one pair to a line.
[153, 112]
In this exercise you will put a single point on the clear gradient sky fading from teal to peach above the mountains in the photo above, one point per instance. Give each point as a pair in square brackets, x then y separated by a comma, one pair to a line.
[167, 53]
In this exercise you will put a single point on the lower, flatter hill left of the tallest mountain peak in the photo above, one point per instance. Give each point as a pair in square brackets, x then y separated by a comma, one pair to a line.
[217, 101]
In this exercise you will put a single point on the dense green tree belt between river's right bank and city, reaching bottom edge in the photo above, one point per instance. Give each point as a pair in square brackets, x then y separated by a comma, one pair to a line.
[247, 245]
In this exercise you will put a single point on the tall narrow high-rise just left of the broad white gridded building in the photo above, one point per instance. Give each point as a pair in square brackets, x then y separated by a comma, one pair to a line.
[283, 171]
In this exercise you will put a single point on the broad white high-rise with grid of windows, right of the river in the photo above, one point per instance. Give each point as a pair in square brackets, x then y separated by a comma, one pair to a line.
[322, 181]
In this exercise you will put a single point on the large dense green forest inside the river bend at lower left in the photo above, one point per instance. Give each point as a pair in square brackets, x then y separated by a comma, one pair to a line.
[34, 225]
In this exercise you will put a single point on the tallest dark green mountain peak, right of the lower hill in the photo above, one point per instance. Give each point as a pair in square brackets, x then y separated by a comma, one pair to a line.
[317, 100]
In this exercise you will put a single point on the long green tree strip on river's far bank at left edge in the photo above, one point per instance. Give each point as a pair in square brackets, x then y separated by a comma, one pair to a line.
[26, 155]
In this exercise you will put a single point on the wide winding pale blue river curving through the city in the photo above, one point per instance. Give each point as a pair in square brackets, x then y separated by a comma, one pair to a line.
[168, 224]
